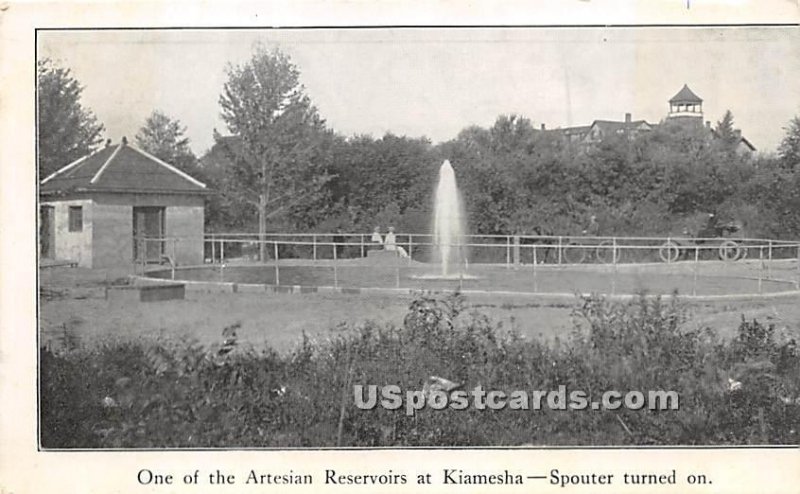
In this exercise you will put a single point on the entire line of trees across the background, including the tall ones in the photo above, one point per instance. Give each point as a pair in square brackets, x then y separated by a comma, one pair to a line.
[280, 167]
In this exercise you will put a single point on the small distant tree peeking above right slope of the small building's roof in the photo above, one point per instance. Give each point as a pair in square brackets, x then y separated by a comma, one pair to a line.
[165, 138]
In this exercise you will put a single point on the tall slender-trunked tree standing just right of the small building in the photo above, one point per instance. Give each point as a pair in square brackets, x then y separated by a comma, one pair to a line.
[277, 160]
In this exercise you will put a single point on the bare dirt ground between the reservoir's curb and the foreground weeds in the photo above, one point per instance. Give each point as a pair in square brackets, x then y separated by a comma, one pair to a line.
[72, 300]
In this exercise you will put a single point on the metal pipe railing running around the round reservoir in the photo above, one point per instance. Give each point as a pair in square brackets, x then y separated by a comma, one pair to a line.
[611, 255]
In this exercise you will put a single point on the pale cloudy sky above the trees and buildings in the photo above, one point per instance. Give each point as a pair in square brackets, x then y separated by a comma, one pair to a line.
[433, 82]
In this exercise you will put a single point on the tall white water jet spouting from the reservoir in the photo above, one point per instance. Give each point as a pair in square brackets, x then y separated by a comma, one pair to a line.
[448, 221]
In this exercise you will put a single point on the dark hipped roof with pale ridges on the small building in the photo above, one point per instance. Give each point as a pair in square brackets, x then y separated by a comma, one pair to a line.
[121, 168]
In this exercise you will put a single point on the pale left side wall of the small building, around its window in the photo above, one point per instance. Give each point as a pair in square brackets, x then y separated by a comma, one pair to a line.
[73, 246]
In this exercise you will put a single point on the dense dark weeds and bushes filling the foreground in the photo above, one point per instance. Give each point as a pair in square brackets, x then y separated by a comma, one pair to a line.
[178, 394]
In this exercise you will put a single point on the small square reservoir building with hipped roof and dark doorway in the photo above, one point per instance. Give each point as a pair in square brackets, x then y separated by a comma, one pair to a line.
[119, 206]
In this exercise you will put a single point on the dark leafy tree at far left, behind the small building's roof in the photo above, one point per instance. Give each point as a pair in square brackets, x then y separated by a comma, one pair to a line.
[66, 130]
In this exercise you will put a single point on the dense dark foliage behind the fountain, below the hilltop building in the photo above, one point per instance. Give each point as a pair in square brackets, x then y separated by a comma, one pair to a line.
[515, 178]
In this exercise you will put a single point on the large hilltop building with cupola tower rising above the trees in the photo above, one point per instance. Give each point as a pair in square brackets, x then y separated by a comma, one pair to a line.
[685, 108]
